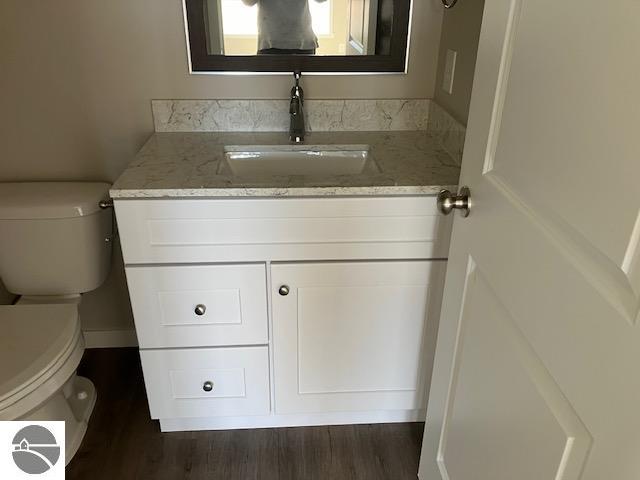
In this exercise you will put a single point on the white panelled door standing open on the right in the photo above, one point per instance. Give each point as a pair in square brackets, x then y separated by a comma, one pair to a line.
[537, 368]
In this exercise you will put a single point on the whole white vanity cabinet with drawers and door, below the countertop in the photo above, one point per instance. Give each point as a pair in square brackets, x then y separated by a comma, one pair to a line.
[284, 311]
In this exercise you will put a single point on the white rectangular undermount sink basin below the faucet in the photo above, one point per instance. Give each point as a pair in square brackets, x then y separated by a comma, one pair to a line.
[318, 160]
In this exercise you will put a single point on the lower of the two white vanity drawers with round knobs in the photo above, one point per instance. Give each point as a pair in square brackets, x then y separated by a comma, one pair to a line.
[178, 381]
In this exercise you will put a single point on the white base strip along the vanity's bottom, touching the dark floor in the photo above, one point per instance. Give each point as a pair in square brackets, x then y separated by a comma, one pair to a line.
[298, 420]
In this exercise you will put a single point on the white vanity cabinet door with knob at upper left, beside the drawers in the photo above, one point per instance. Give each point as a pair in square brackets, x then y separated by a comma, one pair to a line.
[354, 336]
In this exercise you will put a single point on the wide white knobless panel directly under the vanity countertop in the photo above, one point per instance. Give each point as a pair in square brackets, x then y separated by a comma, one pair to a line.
[204, 230]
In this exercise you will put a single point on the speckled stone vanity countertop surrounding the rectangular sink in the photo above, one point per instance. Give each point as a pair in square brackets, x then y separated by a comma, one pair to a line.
[187, 165]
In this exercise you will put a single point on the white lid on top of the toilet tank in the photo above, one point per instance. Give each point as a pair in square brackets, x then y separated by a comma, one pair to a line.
[41, 200]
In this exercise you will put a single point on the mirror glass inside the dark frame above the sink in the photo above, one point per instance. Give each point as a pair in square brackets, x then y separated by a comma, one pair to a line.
[298, 27]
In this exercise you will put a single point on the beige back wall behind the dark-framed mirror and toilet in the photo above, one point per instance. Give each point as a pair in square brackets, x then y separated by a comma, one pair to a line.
[77, 78]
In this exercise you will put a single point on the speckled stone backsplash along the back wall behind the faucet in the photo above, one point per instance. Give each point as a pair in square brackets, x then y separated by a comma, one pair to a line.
[273, 115]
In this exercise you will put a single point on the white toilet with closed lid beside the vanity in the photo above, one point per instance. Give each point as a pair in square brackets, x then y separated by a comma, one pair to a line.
[55, 243]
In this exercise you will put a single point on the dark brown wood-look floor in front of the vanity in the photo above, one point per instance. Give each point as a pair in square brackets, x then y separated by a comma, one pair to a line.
[122, 442]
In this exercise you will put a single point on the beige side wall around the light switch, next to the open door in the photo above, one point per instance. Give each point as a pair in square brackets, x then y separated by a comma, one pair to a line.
[460, 32]
